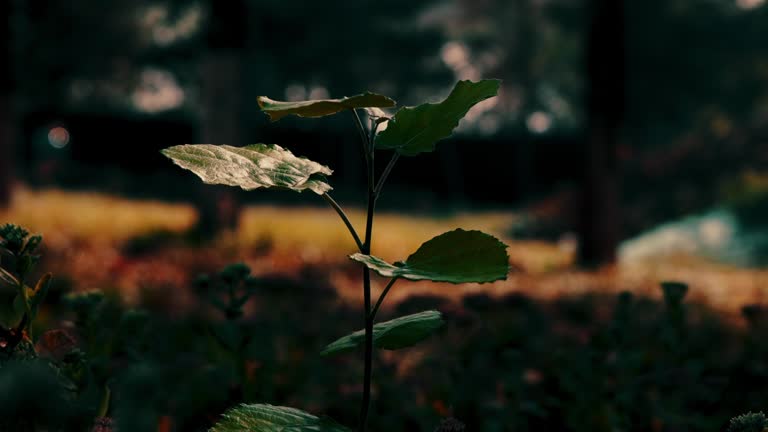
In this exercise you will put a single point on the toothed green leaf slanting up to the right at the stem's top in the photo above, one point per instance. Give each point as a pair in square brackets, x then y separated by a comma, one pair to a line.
[415, 130]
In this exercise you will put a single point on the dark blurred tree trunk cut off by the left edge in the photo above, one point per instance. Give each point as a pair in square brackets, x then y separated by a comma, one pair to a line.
[6, 106]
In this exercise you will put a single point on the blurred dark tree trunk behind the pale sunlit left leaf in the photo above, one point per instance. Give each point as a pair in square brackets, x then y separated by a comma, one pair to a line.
[221, 116]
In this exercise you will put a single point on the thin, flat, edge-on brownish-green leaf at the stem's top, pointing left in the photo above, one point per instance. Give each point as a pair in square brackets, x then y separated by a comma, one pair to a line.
[322, 107]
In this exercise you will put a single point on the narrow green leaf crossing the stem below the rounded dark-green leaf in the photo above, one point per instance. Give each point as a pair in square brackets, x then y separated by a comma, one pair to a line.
[398, 333]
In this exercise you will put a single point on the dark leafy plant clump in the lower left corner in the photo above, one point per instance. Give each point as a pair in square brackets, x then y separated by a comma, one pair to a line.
[44, 380]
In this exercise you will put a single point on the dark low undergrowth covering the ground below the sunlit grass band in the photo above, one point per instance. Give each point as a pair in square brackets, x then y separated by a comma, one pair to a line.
[586, 363]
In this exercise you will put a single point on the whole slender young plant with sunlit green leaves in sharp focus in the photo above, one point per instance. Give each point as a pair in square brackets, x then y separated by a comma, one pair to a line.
[457, 256]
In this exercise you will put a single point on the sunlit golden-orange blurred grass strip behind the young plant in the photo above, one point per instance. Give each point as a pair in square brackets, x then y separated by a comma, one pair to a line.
[84, 233]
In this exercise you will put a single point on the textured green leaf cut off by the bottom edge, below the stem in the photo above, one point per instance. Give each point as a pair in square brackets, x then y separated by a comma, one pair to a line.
[269, 418]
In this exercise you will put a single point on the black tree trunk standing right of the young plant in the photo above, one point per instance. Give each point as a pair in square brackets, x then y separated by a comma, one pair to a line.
[599, 224]
